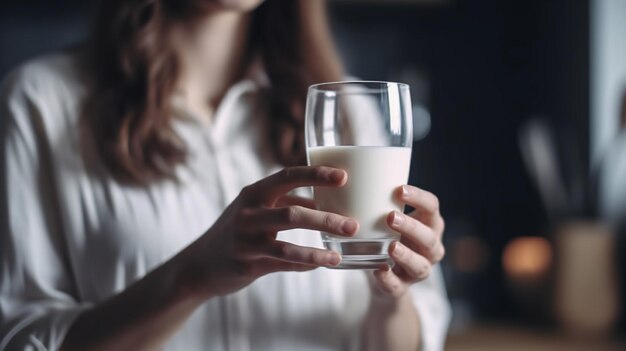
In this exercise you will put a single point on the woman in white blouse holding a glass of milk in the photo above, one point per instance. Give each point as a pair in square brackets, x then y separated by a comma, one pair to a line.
[142, 194]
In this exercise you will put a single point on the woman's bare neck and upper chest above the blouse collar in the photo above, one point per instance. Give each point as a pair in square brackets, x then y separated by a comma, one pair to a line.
[212, 54]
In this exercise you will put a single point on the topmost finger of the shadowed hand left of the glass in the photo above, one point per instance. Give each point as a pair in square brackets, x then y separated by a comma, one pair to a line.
[268, 190]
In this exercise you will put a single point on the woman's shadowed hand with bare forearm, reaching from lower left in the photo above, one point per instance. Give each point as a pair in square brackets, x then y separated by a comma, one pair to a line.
[240, 247]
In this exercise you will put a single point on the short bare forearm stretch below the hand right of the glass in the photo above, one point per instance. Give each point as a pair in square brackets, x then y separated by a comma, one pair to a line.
[391, 325]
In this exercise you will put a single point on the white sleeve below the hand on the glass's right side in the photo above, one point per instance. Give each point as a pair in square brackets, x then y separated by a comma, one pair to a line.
[431, 301]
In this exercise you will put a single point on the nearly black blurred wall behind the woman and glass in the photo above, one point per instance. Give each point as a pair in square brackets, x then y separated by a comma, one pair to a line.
[483, 68]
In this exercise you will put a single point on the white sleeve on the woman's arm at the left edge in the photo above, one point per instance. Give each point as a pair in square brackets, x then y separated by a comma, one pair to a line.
[37, 295]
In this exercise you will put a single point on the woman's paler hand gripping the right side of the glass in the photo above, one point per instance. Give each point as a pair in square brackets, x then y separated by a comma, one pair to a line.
[419, 247]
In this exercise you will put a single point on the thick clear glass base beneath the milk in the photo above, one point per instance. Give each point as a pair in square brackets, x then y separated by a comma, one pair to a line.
[360, 253]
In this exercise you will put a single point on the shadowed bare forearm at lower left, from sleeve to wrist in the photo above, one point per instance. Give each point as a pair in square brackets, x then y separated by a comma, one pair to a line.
[142, 317]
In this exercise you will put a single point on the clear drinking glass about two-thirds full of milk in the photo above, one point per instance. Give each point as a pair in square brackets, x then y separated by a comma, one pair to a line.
[365, 128]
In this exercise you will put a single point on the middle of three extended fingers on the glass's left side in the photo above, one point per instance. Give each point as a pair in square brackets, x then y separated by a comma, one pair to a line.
[291, 217]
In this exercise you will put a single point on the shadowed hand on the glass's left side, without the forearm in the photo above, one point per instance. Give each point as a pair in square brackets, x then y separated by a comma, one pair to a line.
[241, 246]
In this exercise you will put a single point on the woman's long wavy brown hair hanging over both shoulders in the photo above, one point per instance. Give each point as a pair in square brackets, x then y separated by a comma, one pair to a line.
[129, 117]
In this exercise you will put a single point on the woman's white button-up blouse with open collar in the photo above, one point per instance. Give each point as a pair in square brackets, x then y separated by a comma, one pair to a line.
[70, 238]
